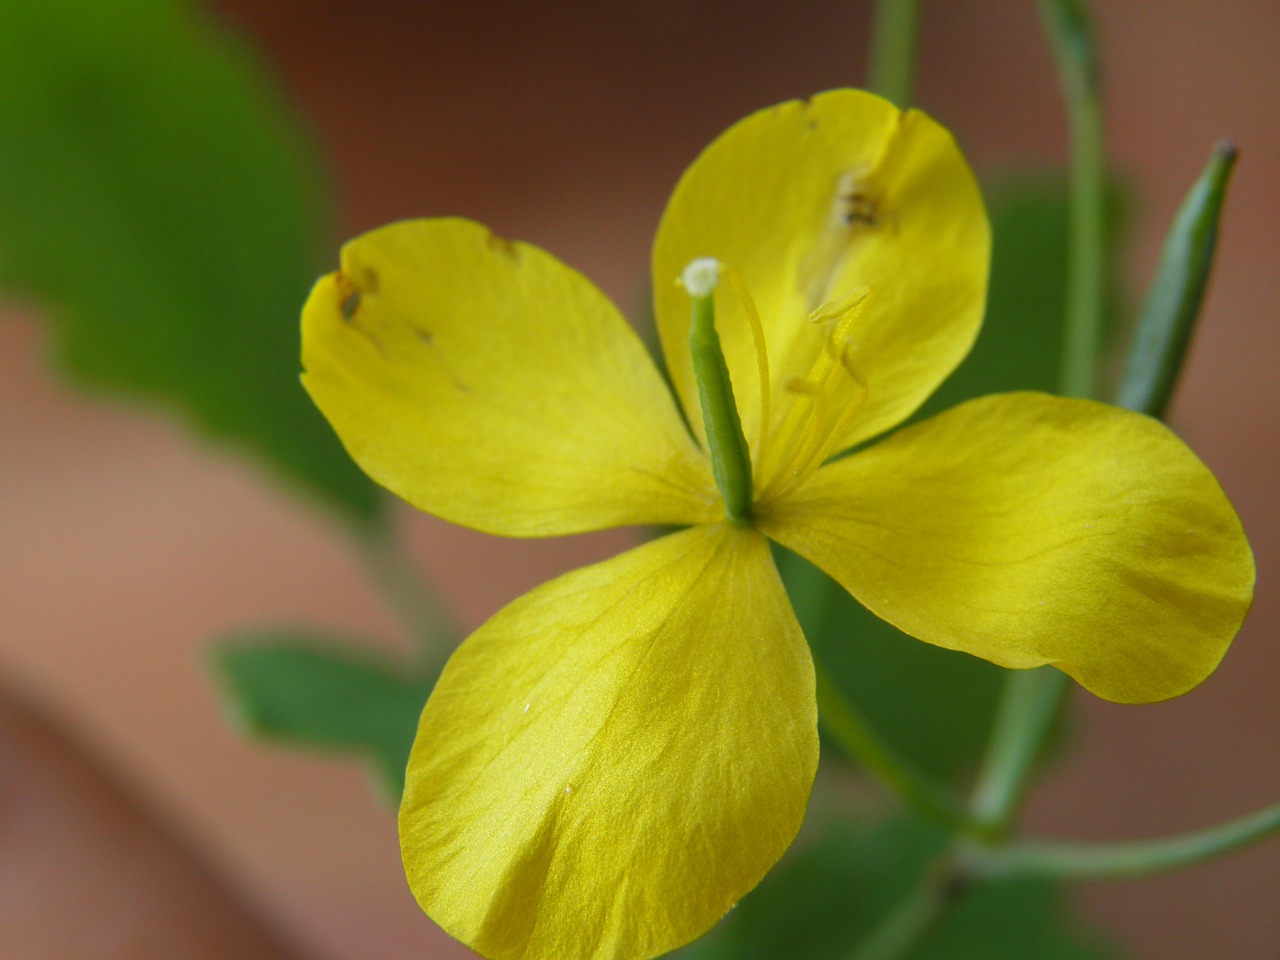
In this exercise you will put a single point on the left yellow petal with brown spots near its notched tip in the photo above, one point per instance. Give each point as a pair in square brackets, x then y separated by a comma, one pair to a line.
[487, 383]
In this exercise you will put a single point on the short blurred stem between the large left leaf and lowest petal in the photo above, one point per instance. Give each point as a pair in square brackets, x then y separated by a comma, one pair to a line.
[403, 587]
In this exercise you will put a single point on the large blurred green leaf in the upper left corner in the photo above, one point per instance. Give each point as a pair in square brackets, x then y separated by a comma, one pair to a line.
[157, 198]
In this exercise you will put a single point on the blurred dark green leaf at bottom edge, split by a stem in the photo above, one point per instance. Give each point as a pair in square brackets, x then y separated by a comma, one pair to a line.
[826, 900]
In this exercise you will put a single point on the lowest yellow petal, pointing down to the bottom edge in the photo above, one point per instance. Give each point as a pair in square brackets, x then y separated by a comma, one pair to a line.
[616, 758]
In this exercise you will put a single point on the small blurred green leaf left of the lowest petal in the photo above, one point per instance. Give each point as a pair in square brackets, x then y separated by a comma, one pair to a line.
[313, 693]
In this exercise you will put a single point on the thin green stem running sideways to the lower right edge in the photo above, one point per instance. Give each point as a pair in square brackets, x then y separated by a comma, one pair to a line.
[1122, 861]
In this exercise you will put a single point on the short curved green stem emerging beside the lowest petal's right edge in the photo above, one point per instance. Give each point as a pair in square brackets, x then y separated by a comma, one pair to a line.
[849, 729]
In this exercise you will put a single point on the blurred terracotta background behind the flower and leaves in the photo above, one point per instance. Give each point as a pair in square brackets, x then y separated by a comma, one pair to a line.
[127, 543]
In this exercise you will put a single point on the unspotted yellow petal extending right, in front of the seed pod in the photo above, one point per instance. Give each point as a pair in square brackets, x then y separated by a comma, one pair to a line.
[1028, 531]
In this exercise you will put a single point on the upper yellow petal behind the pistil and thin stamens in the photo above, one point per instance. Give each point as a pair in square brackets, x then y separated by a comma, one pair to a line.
[810, 202]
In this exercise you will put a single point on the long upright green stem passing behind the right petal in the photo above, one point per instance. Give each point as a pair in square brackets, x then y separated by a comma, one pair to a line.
[1032, 700]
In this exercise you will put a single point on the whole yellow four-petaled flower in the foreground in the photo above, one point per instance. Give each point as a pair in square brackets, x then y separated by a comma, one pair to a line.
[611, 762]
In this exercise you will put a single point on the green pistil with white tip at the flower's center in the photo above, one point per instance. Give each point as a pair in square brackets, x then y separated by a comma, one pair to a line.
[732, 463]
